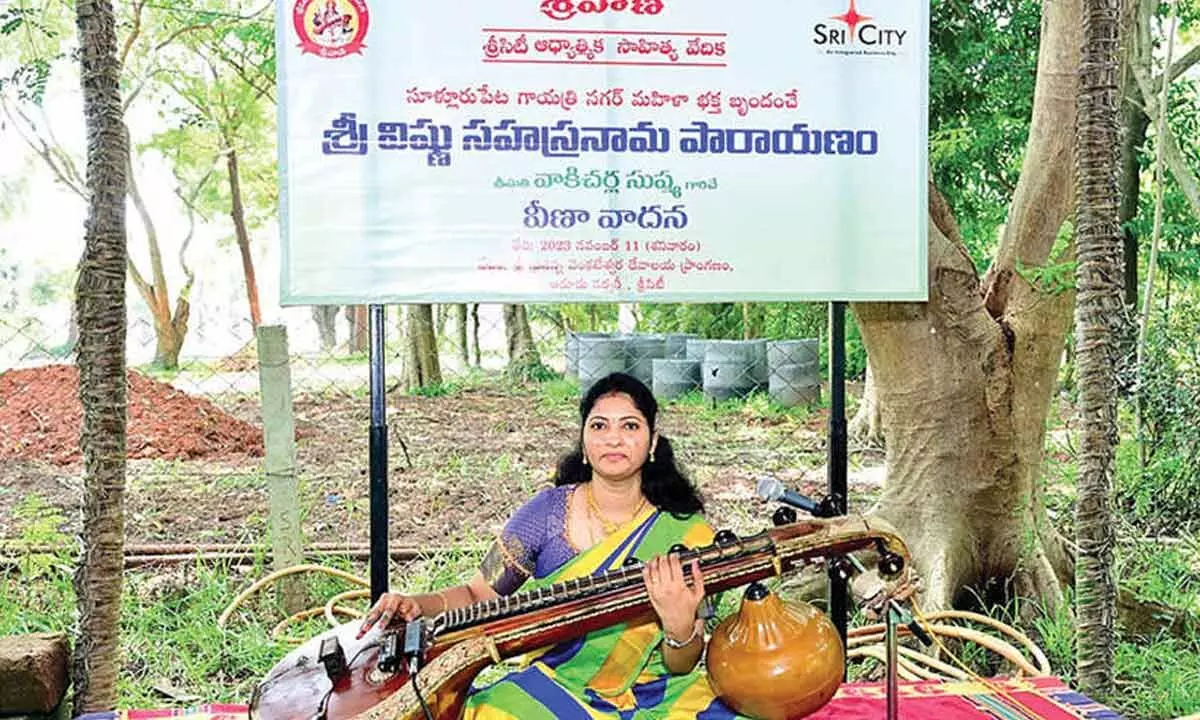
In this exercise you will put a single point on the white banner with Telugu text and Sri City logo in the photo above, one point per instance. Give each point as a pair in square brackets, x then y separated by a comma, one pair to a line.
[603, 151]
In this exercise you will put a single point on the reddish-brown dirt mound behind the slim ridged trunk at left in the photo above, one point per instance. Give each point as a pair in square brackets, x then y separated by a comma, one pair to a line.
[40, 417]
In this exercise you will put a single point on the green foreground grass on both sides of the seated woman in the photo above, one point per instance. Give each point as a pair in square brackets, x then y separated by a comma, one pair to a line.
[171, 639]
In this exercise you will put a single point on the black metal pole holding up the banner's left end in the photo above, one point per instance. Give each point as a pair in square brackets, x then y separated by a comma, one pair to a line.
[379, 458]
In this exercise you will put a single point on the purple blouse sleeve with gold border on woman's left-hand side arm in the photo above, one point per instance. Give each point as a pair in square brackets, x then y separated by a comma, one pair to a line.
[514, 556]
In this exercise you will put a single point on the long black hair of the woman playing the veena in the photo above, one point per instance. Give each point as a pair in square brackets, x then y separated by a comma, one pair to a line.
[663, 483]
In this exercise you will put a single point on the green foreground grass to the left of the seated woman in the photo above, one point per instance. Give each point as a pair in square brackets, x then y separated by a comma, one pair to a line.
[170, 635]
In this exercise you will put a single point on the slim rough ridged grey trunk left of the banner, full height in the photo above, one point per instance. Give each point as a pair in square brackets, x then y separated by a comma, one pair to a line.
[100, 304]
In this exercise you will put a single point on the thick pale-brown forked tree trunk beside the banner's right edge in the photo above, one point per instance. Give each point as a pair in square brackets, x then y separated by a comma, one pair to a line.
[965, 380]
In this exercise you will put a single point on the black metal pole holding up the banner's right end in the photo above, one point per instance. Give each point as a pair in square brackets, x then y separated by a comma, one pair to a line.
[836, 470]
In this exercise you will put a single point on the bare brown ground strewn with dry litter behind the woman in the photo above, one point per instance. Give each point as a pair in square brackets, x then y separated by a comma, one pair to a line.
[459, 466]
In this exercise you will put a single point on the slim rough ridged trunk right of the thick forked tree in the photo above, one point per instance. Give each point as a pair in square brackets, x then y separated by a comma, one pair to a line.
[1097, 317]
